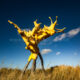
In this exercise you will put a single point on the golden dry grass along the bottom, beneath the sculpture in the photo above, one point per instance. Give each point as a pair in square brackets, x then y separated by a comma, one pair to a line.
[54, 73]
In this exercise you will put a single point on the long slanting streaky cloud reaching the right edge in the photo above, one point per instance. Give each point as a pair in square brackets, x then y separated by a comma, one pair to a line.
[69, 34]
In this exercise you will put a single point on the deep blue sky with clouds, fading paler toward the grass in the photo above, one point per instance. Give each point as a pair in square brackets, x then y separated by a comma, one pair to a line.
[59, 49]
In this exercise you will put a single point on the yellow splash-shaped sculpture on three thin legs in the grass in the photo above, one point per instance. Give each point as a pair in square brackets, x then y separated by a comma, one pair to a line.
[34, 37]
